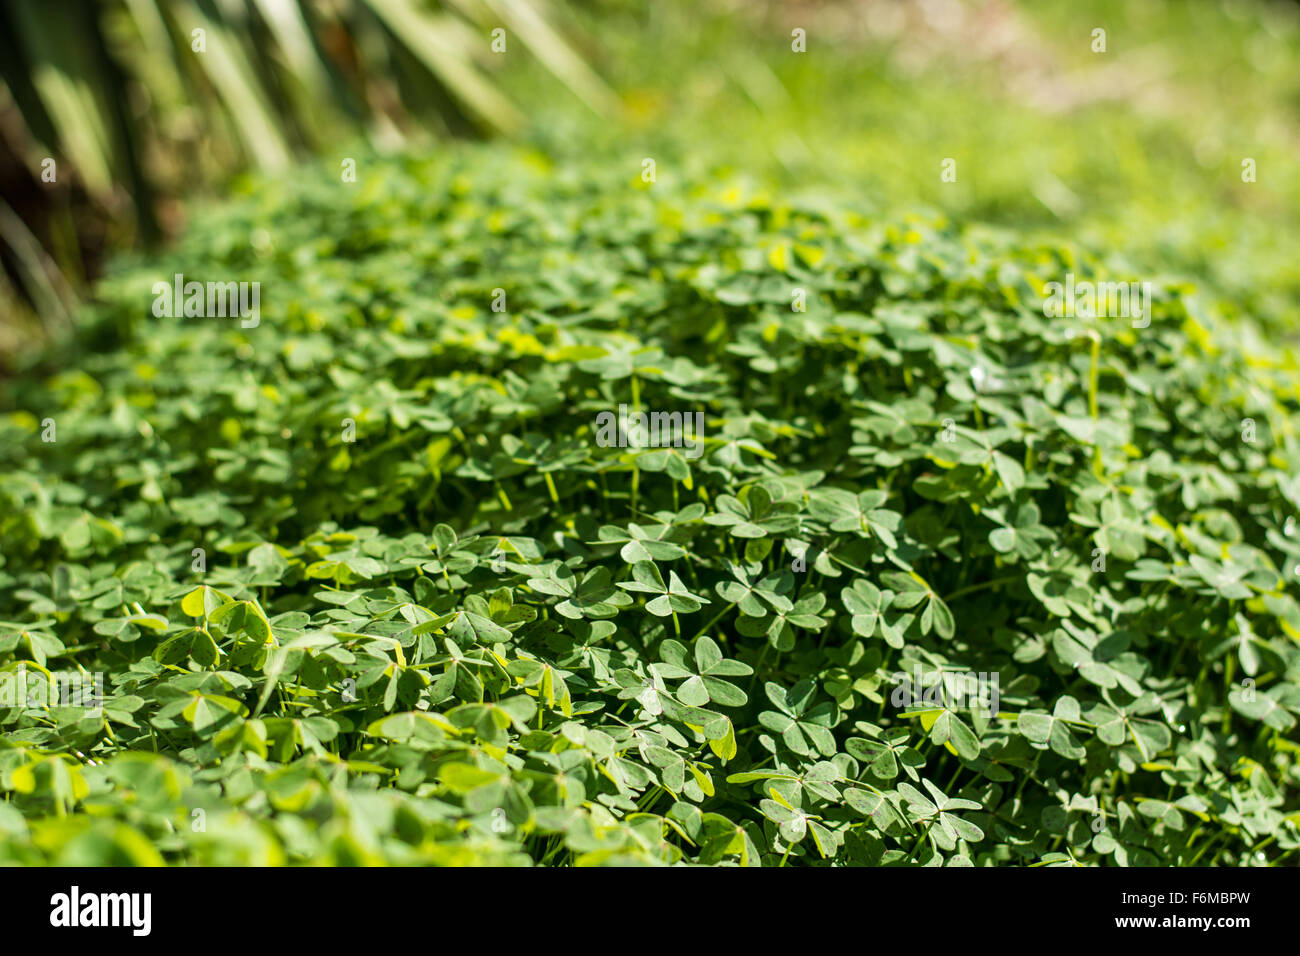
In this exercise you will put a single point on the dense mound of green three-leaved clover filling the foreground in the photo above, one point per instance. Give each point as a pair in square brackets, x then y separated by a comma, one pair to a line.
[374, 582]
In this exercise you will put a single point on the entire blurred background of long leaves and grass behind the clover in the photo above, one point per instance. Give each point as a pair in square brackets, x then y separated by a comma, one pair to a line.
[1134, 153]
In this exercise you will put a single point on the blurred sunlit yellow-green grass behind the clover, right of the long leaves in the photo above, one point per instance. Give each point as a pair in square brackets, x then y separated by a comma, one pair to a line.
[1136, 153]
